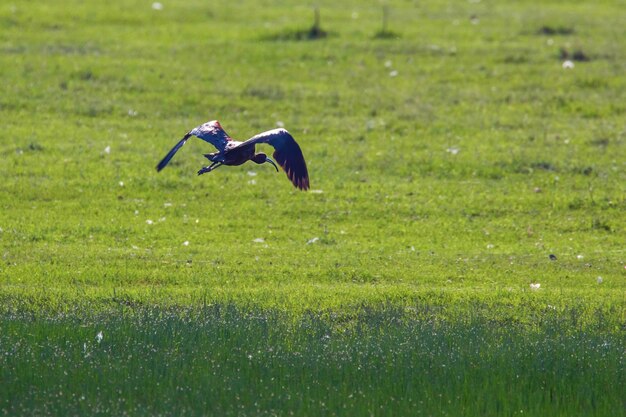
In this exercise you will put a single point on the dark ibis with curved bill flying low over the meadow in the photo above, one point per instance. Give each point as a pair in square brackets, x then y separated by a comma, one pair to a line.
[287, 152]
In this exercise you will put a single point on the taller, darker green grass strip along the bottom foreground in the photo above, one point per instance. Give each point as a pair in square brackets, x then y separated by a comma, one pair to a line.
[228, 362]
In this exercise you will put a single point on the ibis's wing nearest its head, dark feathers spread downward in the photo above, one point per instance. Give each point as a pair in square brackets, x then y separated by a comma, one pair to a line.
[287, 153]
